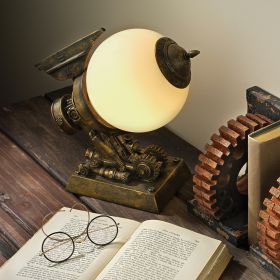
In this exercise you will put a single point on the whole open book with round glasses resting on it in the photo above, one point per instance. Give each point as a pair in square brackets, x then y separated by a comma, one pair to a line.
[149, 250]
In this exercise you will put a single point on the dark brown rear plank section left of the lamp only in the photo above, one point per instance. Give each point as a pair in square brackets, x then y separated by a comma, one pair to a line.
[29, 124]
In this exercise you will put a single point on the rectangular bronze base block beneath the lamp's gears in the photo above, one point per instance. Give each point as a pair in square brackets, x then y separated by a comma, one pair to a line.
[148, 196]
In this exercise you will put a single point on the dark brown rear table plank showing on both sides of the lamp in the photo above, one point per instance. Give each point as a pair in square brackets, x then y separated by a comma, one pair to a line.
[29, 124]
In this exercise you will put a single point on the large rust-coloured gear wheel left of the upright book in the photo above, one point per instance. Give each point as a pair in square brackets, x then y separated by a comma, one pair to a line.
[219, 190]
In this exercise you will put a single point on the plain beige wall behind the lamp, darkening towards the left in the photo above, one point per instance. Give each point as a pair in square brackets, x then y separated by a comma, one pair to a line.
[238, 40]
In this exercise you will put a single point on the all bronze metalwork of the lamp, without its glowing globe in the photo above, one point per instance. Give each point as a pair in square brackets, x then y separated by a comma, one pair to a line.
[116, 168]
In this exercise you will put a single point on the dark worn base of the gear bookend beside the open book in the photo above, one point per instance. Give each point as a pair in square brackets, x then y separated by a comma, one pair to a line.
[234, 229]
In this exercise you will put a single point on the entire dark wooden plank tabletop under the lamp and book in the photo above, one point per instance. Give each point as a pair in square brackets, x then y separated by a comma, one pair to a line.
[36, 160]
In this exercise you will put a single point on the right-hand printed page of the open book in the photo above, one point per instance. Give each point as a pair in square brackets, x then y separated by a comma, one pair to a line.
[159, 250]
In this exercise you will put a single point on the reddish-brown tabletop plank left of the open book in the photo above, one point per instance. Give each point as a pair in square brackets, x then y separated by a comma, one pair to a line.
[33, 193]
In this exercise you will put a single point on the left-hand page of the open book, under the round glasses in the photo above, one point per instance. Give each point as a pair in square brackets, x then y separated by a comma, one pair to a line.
[86, 262]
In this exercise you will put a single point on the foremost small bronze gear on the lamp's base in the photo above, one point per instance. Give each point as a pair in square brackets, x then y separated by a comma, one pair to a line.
[146, 167]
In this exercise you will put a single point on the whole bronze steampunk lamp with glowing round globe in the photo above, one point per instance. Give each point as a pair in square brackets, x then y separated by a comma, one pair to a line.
[134, 81]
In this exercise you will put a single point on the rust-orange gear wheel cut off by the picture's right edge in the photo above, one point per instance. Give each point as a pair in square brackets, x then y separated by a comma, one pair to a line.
[269, 226]
